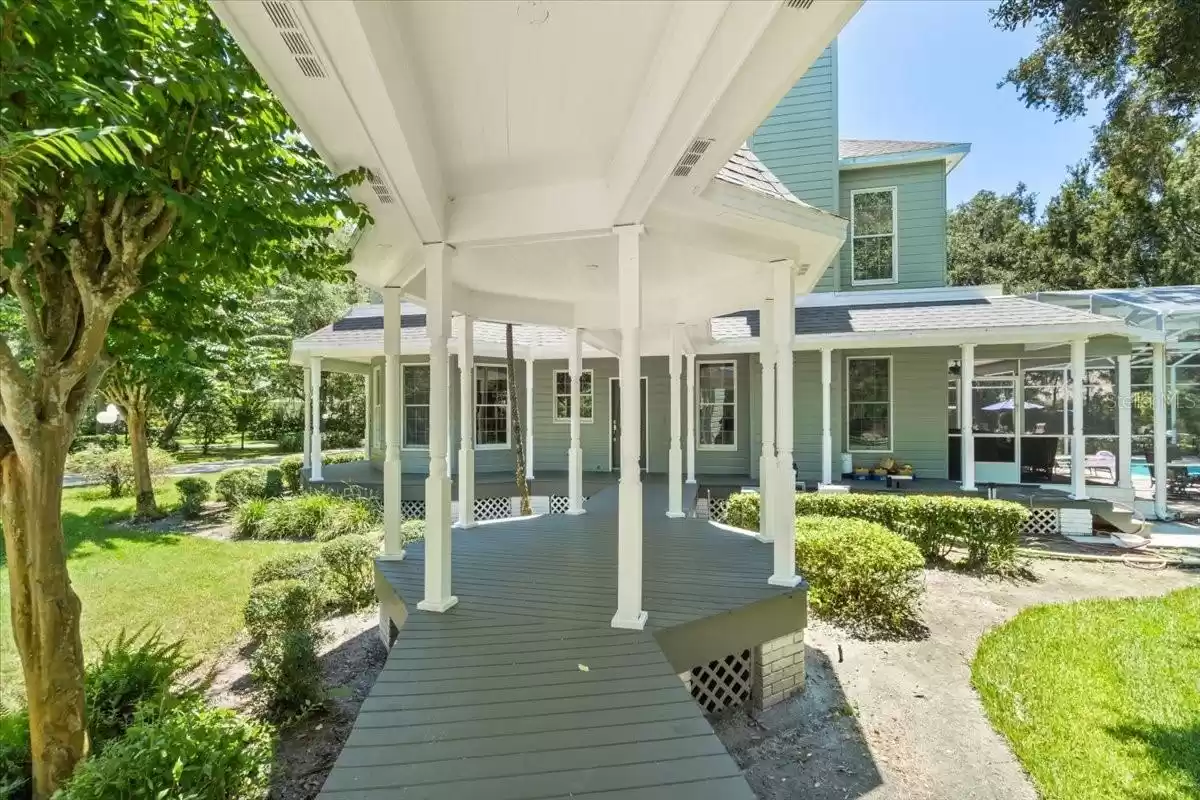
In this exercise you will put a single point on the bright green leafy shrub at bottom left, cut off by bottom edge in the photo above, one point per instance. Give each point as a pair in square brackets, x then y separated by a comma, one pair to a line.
[190, 751]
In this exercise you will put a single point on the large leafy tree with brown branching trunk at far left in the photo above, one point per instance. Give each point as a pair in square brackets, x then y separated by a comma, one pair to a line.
[124, 124]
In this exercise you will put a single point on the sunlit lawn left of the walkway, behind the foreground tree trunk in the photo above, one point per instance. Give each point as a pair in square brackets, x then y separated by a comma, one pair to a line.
[190, 587]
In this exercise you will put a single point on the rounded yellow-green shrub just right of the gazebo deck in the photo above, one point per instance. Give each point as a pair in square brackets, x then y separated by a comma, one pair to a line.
[860, 574]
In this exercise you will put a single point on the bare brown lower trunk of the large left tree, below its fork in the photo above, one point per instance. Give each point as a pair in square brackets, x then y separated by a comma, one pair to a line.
[45, 611]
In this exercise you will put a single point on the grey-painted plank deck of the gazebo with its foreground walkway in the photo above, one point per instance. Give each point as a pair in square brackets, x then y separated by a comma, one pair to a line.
[525, 691]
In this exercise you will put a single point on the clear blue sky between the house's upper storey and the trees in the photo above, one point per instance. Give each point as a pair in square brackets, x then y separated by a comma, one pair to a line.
[928, 70]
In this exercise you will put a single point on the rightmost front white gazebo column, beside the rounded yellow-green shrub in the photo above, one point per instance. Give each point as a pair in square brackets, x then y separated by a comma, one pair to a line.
[784, 485]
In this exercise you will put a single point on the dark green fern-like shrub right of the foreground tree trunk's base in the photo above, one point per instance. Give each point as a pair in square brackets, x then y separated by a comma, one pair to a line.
[129, 675]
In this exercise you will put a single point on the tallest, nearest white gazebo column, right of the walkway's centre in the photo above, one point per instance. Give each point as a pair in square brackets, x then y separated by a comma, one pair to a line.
[629, 528]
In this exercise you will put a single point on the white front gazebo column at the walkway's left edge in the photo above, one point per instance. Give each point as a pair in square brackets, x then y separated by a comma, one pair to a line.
[437, 485]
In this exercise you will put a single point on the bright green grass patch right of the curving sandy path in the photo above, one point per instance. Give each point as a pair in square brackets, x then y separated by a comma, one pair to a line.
[1101, 699]
